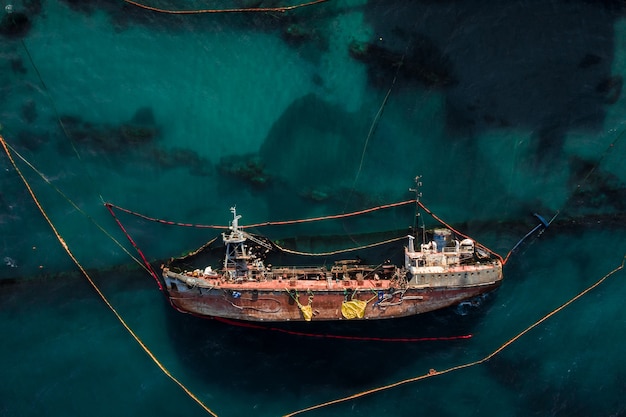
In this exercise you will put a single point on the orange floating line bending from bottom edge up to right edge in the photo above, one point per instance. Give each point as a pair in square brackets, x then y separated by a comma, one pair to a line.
[433, 372]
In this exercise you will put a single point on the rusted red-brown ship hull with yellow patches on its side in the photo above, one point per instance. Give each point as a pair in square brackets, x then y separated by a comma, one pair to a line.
[327, 299]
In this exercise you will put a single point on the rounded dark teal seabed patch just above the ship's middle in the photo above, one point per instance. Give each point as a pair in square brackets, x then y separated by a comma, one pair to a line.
[316, 143]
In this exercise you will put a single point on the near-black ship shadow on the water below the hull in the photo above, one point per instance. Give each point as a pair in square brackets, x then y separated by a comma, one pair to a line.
[296, 356]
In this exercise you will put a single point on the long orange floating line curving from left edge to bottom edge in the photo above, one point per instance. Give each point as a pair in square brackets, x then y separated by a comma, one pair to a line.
[97, 289]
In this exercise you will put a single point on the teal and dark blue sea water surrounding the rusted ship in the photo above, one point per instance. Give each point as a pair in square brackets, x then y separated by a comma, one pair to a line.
[505, 109]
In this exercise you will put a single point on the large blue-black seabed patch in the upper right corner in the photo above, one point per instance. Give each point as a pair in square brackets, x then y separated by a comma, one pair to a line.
[532, 65]
